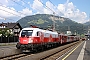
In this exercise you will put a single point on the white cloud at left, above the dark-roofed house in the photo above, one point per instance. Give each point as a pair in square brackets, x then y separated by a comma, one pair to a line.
[11, 15]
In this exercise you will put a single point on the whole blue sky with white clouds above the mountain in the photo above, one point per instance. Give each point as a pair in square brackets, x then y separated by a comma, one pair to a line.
[76, 10]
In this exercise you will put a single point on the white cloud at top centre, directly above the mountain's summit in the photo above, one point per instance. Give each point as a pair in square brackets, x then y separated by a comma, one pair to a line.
[42, 8]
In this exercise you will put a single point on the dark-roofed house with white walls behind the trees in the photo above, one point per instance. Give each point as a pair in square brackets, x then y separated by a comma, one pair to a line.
[15, 28]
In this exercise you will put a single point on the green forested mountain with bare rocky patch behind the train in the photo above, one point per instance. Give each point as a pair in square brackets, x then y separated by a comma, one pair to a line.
[46, 21]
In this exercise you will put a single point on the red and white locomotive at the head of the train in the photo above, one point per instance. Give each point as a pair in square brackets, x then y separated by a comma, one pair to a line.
[34, 38]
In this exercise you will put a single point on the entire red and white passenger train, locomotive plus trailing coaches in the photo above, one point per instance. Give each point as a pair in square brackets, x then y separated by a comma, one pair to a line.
[35, 38]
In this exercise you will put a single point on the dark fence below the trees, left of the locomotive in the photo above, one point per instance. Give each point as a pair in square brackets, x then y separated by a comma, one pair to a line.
[4, 39]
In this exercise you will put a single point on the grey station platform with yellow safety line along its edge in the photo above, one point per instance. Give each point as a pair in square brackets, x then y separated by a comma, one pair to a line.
[80, 52]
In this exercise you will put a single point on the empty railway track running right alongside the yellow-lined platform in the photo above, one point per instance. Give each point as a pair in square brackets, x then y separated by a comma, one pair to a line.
[57, 54]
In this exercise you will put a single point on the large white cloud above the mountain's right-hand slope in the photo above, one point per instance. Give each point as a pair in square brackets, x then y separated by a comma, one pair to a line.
[70, 11]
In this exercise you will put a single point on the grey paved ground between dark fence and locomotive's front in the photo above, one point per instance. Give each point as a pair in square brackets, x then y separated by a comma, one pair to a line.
[7, 49]
